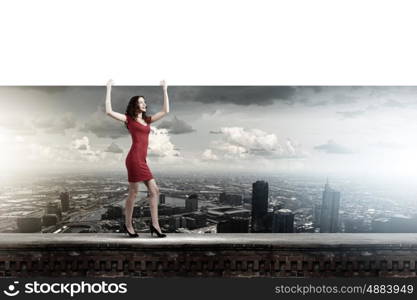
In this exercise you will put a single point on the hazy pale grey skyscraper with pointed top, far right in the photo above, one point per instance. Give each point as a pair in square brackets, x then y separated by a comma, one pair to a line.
[329, 217]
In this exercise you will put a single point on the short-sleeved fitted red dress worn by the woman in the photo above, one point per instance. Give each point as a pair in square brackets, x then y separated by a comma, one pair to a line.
[137, 168]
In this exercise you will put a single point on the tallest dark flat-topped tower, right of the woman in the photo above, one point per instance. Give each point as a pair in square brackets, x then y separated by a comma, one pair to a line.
[259, 205]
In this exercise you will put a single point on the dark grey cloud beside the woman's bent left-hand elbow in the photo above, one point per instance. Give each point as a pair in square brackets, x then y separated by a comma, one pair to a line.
[104, 126]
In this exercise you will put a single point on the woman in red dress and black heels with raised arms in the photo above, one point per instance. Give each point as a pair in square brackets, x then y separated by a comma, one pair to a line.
[138, 124]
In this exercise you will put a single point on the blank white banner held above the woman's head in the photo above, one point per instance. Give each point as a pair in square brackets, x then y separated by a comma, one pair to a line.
[208, 43]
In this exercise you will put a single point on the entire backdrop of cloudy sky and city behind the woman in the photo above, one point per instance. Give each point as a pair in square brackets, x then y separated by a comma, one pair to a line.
[228, 159]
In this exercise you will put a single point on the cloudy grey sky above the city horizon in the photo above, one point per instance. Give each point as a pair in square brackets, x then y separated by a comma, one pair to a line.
[366, 130]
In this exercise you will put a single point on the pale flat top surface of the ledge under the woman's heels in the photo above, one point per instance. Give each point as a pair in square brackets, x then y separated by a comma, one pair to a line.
[278, 241]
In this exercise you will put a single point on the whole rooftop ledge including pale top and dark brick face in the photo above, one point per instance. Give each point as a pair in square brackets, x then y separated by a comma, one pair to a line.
[209, 255]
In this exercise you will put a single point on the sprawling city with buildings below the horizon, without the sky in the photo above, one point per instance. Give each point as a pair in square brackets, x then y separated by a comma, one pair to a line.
[208, 204]
